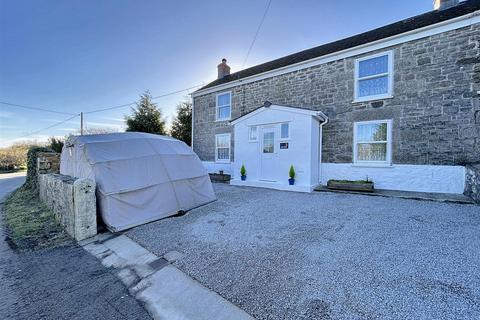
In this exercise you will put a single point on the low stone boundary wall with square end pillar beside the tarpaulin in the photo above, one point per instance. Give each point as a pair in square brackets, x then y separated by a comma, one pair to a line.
[73, 202]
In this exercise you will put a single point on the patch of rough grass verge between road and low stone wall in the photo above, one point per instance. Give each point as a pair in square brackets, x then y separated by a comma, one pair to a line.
[30, 224]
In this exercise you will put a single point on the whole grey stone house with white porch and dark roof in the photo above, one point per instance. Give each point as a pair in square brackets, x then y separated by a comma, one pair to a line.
[398, 105]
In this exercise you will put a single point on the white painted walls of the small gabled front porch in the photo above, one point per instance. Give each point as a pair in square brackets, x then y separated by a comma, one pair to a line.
[302, 152]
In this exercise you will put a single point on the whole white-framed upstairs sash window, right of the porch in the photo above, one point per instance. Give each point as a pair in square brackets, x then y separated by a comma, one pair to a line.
[374, 77]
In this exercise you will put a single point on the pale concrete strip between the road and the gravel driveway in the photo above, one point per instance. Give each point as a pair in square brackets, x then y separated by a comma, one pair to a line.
[165, 291]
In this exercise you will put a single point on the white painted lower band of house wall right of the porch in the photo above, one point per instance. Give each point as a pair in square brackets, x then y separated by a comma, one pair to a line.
[419, 178]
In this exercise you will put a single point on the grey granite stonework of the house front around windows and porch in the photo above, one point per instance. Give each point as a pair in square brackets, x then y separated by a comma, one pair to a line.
[435, 106]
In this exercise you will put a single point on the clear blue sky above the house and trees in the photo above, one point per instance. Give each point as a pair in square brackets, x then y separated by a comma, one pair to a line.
[82, 55]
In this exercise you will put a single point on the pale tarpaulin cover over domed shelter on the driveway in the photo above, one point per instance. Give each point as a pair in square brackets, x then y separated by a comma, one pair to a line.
[140, 177]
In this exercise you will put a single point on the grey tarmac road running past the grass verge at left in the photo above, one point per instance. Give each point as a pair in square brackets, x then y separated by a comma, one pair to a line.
[61, 283]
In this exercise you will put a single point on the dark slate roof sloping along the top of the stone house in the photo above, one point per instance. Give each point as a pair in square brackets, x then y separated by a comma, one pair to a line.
[387, 31]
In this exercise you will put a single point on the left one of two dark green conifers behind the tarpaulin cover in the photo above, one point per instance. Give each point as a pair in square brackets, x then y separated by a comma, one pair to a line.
[146, 117]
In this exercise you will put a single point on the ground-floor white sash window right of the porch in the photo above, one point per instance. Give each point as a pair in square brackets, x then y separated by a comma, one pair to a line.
[372, 142]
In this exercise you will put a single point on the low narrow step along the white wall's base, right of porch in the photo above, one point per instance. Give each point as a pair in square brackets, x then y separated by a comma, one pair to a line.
[428, 196]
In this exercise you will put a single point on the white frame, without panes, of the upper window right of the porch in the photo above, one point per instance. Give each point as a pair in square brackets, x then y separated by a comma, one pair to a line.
[389, 73]
